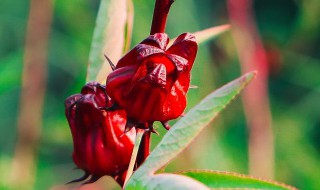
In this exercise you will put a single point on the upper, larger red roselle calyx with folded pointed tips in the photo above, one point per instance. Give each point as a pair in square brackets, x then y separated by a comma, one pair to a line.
[151, 81]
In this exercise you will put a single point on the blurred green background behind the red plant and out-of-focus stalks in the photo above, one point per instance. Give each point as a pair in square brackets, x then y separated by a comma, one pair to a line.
[289, 30]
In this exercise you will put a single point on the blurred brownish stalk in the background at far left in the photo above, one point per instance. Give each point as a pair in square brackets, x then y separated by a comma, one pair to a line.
[22, 174]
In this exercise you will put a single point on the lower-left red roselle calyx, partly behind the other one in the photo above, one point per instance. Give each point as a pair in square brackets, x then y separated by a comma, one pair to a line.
[100, 145]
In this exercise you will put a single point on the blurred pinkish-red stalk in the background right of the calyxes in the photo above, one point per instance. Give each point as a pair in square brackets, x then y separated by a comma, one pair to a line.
[255, 98]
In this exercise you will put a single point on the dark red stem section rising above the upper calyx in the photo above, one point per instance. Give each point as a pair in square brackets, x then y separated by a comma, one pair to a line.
[160, 14]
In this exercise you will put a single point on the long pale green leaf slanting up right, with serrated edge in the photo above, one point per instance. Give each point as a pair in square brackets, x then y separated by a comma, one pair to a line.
[188, 127]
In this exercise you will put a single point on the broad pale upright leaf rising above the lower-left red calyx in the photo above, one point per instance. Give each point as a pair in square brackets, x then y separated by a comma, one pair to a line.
[108, 38]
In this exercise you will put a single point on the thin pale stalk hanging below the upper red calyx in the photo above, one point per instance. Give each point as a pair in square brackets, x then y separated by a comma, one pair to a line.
[137, 142]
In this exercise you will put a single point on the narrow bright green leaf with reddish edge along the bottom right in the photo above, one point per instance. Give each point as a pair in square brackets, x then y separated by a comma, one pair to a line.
[215, 179]
